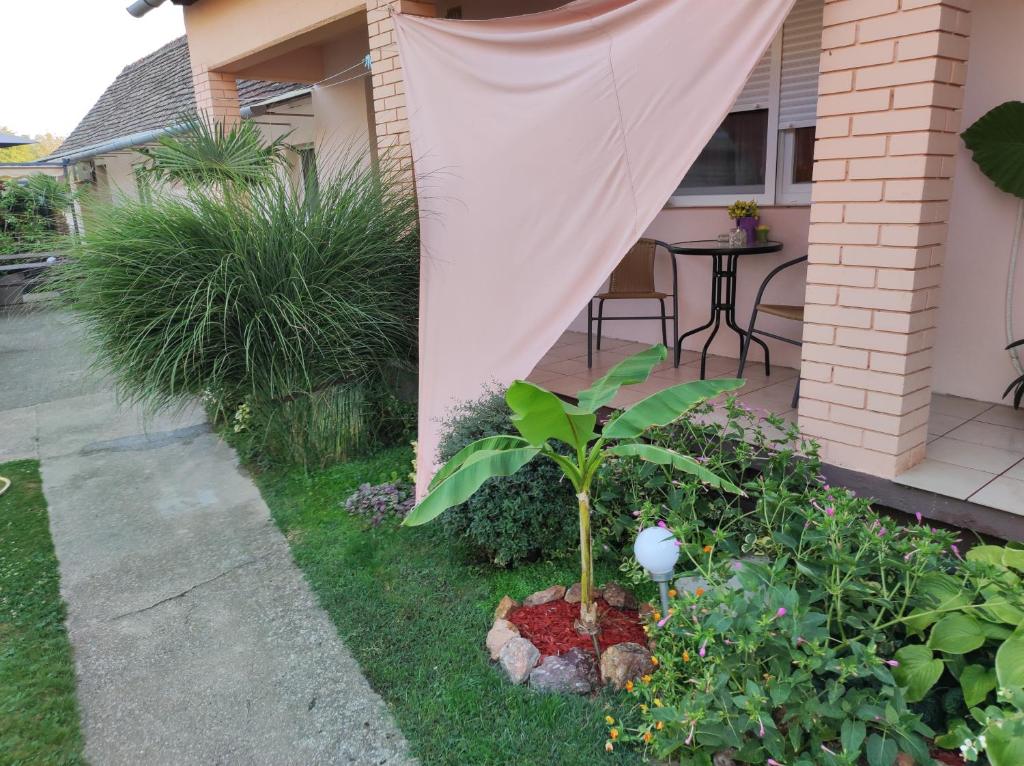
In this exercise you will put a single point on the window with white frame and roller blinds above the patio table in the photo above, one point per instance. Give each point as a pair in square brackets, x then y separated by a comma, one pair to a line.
[764, 149]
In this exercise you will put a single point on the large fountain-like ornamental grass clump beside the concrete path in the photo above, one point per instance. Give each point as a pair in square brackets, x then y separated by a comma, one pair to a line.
[303, 308]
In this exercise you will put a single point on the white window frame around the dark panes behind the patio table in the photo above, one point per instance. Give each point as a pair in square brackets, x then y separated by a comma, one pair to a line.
[780, 150]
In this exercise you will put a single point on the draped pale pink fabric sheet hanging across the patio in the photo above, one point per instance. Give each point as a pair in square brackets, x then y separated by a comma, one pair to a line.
[545, 146]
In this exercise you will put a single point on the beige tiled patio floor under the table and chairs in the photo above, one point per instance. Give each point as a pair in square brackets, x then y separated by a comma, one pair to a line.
[975, 450]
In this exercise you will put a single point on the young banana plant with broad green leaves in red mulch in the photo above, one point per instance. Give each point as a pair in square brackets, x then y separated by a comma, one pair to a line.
[542, 419]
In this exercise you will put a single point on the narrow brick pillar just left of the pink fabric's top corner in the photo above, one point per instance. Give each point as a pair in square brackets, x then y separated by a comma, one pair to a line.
[390, 87]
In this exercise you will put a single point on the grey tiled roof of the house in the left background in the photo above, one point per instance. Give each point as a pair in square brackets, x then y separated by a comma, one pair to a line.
[151, 95]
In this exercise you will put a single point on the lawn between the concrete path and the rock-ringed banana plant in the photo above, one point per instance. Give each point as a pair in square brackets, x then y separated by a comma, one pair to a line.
[415, 612]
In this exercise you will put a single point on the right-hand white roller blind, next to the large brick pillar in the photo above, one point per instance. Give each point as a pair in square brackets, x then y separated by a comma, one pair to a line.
[801, 52]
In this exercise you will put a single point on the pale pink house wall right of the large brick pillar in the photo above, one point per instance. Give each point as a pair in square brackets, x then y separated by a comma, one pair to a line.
[970, 360]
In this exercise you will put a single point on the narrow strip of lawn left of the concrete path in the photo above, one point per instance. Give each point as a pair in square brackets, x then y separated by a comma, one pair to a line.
[39, 722]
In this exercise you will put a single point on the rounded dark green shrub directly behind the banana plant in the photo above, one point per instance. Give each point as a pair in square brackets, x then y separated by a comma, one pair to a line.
[528, 517]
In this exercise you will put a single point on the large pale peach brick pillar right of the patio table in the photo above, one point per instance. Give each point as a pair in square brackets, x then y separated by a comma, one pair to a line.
[890, 91]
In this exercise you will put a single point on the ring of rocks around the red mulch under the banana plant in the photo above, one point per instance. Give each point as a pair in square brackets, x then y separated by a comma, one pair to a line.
[577, 671]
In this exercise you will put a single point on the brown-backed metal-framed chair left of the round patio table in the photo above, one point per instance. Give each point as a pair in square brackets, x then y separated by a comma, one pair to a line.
[633, 280]
